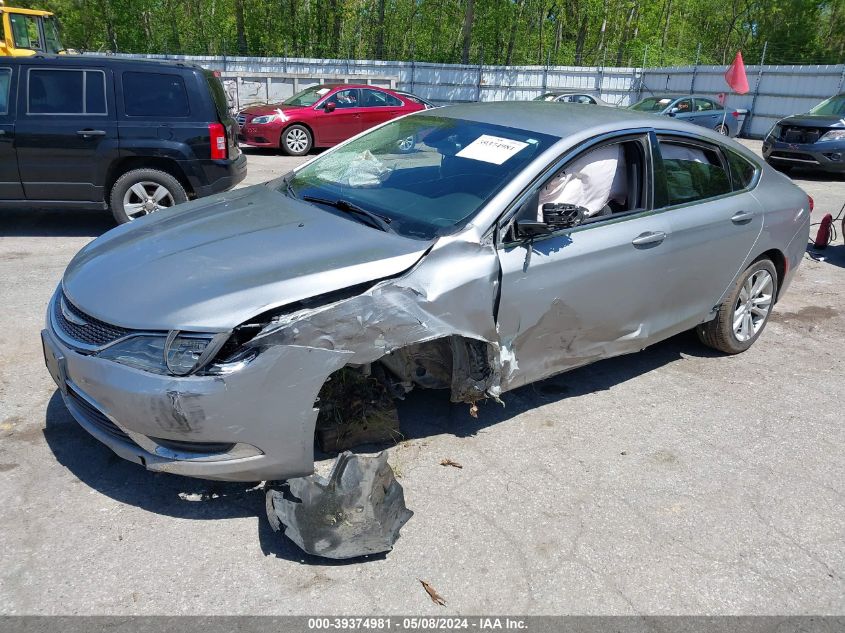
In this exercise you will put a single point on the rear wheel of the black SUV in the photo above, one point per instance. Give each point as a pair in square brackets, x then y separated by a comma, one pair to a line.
[140, 192]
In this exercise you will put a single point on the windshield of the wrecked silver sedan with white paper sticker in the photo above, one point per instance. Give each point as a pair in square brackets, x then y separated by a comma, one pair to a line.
[426, 176]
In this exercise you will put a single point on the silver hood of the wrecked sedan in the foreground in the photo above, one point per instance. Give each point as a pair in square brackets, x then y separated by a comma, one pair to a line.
[212, 264]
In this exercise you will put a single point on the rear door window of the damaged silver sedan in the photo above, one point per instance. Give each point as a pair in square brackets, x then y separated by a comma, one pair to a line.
[693, 172]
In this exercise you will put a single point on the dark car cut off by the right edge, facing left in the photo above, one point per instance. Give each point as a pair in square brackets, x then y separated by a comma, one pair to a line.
[815, 140]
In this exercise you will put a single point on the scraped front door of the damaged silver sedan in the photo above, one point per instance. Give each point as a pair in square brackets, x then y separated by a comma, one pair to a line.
[584, 293]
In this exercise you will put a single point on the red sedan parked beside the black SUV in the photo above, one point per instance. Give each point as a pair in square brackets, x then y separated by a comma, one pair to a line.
[321, 116]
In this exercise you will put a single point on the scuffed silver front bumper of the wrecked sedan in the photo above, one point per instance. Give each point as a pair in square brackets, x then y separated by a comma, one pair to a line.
[253, 424]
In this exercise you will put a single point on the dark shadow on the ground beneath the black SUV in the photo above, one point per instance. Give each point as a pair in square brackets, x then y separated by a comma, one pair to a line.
[55, 223]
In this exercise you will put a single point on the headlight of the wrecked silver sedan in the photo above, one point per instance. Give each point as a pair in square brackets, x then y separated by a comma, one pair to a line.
[178, 353]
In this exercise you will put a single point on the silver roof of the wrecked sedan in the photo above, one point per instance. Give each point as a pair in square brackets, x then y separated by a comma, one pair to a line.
[544, 117]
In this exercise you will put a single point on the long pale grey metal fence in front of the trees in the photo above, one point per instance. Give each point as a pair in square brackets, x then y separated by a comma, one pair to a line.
[776, 91]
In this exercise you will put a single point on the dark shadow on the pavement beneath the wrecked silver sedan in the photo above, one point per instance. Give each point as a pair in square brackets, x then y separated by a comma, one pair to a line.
[422, 414]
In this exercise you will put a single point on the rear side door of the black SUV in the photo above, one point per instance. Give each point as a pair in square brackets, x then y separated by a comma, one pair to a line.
[66, 132]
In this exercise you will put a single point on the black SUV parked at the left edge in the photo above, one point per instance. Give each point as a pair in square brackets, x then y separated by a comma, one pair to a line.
[128, 135]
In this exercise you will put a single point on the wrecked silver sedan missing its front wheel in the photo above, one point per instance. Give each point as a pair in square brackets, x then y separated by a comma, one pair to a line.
[510, 244]
